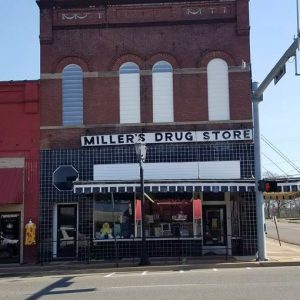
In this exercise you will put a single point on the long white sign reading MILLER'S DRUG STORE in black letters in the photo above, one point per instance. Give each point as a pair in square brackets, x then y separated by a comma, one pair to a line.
[167, 137]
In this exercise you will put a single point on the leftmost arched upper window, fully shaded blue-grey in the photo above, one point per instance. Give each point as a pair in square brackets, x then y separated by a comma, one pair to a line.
[72, 84]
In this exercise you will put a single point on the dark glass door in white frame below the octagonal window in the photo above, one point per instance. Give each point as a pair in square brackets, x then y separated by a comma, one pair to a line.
[66, 230]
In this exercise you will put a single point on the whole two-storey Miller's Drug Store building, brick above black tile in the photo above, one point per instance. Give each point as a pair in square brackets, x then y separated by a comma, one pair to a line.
[173, 74]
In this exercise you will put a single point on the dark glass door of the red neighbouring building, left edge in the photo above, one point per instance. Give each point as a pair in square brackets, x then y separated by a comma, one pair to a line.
[9, 237]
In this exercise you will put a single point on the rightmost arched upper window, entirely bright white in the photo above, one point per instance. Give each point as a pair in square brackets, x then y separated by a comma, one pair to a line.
[218, 90]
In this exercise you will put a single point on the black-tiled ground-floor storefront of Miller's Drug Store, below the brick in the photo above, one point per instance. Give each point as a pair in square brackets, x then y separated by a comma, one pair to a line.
[199, 200]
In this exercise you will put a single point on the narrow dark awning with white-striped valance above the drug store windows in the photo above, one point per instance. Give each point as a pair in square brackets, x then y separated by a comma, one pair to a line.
[88, 187]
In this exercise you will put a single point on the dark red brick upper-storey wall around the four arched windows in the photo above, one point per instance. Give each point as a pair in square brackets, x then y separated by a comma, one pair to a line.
[99, 38]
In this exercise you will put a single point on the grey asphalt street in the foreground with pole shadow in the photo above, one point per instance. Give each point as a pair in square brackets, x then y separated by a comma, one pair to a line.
[214, 284]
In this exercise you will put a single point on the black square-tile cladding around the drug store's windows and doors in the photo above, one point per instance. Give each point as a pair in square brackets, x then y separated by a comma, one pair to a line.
[83, 161]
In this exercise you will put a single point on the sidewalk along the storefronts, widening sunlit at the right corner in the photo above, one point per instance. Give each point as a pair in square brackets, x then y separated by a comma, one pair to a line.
[284, 255]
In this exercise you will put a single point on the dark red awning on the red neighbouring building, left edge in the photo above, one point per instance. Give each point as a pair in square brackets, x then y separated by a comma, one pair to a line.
[11, 186]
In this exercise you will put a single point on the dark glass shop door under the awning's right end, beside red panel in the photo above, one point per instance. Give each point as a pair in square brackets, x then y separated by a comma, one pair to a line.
[214, 226]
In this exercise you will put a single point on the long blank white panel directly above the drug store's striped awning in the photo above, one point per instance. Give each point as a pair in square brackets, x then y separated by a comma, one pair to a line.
[160, 171]
